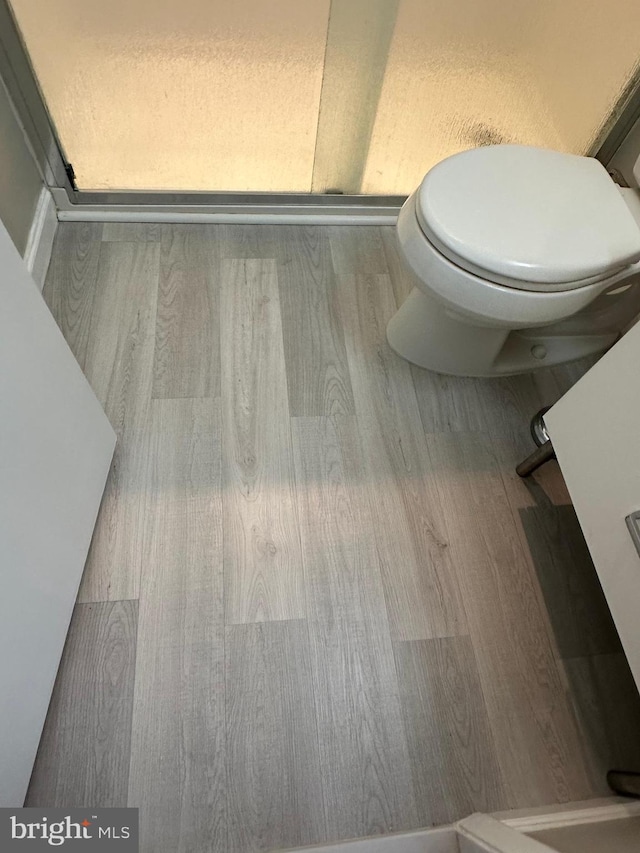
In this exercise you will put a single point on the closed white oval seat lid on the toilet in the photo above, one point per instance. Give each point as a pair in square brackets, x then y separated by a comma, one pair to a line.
[529, 214]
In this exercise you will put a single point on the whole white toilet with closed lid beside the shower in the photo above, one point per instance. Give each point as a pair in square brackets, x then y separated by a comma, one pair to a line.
[520, 258]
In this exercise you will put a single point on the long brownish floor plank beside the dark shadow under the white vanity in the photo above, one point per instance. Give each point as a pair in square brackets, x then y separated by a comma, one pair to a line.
[531, 719]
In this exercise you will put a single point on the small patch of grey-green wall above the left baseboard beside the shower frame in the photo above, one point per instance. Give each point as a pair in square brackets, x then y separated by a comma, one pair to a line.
[20, 180]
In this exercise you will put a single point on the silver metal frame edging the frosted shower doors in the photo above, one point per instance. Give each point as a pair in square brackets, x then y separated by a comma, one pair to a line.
[19, 79]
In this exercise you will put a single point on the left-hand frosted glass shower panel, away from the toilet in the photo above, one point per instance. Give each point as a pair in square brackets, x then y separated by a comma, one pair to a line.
[181, 94]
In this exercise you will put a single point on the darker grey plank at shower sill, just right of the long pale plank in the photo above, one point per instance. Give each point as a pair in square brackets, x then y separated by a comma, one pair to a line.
[318, 378]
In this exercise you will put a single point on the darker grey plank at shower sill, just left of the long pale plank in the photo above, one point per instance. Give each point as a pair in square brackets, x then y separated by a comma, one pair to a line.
[187, 344]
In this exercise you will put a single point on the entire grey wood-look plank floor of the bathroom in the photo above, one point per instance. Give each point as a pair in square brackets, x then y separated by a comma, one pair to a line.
[319, 603]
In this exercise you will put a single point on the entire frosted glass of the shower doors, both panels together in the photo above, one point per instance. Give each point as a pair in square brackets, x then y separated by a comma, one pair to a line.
[347, 96]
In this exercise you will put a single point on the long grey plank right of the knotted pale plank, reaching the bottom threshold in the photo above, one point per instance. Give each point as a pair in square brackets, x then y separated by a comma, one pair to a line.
[363, 753]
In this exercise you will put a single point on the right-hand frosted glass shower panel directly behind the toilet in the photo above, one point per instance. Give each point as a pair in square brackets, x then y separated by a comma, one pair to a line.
[472, 72]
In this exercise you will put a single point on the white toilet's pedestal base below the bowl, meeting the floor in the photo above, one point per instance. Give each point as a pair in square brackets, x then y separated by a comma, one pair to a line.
[427, 333]
